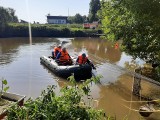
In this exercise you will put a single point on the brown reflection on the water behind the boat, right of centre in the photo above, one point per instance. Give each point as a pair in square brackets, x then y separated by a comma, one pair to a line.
[98, 47]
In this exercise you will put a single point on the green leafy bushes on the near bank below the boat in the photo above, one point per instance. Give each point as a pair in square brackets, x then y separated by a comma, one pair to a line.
[67, 106]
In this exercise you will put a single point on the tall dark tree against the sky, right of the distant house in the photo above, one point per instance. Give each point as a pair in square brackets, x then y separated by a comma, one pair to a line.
[94, 7]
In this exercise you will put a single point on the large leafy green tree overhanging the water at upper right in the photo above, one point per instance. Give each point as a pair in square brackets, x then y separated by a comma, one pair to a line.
[137, 23]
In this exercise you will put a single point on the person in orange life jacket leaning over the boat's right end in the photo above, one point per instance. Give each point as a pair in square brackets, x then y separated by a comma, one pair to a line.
[82, 59]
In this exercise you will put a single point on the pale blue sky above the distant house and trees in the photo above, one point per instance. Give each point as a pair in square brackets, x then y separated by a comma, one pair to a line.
[36, 10]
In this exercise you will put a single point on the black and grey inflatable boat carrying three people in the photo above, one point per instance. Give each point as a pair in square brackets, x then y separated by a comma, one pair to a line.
[80, 72]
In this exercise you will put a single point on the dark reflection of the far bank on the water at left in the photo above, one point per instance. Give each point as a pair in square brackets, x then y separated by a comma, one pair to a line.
[9, 47]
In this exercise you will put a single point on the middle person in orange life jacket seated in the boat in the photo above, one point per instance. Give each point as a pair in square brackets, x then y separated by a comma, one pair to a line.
[63, 57]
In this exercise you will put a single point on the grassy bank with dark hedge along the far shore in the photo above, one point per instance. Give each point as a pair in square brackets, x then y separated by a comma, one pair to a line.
[47, 30]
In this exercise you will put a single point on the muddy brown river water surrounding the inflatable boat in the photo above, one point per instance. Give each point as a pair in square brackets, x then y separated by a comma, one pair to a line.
[20, 65]
